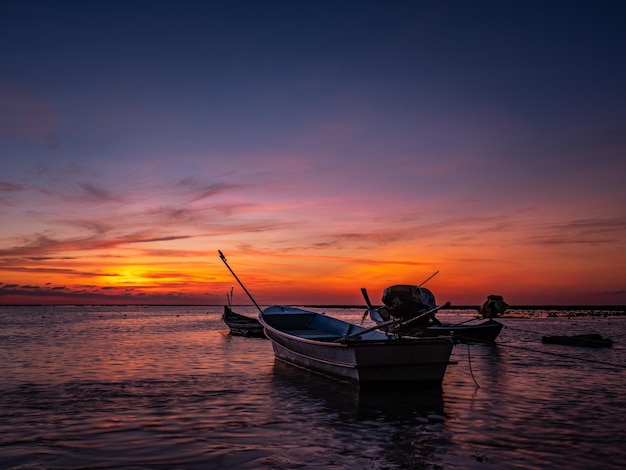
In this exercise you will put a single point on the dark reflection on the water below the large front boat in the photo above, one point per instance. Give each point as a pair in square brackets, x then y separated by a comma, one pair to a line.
[400, 427]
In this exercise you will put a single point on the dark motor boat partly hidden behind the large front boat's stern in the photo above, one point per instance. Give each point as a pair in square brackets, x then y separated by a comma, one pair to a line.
[402, 301]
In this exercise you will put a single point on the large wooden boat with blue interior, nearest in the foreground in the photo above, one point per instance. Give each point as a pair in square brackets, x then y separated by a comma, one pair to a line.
[333, 347]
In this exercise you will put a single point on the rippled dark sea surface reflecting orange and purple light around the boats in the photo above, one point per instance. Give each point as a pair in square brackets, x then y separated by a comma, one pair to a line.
[169, 388]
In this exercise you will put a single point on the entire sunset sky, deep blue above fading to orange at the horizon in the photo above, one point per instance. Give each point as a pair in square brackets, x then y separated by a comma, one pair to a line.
[323, 146]
